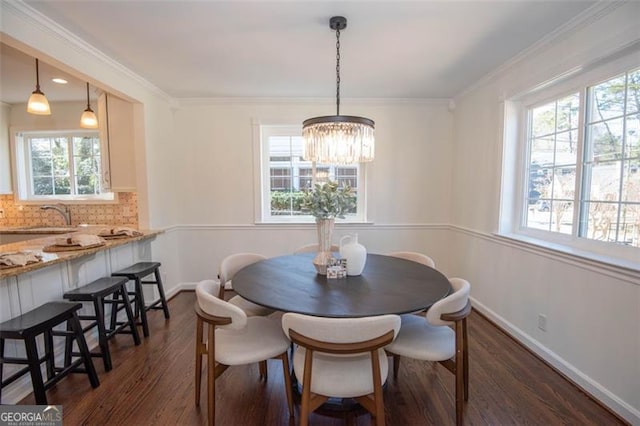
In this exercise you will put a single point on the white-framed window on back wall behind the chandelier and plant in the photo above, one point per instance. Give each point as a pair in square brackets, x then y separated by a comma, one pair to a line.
[285, 176]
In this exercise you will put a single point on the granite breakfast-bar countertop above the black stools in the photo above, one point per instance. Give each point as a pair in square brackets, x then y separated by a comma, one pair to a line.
[48, 259]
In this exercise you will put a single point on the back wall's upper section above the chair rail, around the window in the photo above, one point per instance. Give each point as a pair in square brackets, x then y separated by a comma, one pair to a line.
[407, 183]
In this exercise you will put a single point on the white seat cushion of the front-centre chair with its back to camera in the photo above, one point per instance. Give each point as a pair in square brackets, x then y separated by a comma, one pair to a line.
[340, 376]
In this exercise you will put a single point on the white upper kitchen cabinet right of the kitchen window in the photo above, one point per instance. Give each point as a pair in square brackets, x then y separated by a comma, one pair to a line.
[116, 121]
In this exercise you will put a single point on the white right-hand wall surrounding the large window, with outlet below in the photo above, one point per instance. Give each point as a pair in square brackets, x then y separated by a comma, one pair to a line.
[593, 310]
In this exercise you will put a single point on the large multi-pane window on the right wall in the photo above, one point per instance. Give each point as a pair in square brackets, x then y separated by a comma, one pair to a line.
[582, 174]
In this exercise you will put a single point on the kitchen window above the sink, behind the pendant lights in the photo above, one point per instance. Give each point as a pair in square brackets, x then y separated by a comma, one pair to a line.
[59, 166]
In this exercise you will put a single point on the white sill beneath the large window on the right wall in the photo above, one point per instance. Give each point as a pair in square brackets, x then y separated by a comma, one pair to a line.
[582, 255]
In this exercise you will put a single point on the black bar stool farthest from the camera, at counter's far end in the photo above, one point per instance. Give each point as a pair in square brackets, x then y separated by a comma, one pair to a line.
[136, 273]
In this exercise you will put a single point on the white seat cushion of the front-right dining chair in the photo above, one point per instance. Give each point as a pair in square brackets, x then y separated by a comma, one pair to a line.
[418, 339]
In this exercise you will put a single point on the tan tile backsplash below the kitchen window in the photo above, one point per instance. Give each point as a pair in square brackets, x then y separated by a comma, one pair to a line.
[124, 212]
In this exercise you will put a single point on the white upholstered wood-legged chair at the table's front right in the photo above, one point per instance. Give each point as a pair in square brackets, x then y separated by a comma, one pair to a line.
[430, 338]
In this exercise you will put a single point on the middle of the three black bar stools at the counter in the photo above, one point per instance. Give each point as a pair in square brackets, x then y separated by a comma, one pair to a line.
[98, 292]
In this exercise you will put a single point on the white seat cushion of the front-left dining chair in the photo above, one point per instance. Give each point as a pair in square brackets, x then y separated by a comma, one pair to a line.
[261, 339]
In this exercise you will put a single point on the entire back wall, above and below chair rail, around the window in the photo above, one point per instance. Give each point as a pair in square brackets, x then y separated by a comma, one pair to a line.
[408, 183]
